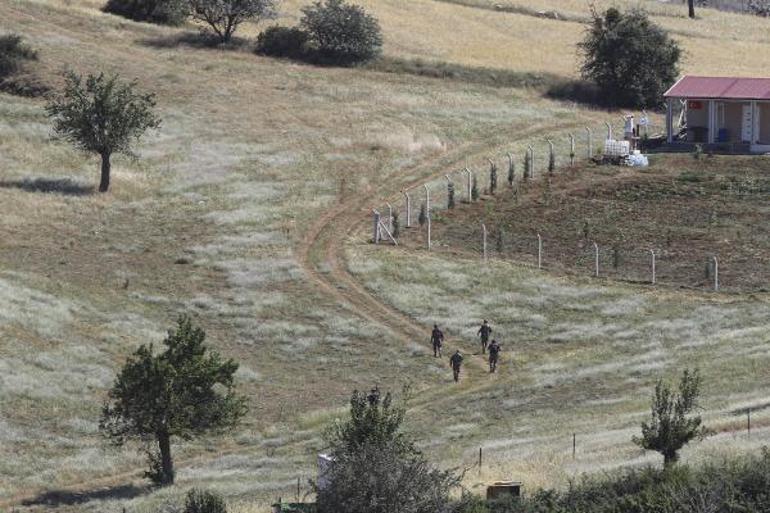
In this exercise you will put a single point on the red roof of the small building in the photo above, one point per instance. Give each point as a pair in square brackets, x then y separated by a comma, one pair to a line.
[729, 88]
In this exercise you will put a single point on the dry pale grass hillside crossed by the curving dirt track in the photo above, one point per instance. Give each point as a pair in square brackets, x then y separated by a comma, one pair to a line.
[239, 212]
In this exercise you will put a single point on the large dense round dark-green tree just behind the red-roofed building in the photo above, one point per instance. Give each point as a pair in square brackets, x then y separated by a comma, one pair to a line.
[632, 60]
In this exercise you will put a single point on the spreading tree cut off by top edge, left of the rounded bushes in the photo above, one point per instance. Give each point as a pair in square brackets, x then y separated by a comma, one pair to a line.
[224, 16]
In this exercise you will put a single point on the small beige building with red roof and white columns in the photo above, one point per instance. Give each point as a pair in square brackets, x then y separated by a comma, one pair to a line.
[728, 113]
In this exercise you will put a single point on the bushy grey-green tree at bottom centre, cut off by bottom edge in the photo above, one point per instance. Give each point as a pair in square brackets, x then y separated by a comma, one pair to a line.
[377, 468]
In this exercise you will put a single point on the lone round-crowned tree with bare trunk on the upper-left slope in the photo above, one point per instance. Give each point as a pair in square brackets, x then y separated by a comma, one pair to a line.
[103, 116]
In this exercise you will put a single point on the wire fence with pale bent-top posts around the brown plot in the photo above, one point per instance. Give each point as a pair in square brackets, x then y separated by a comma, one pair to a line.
[637, 262]
